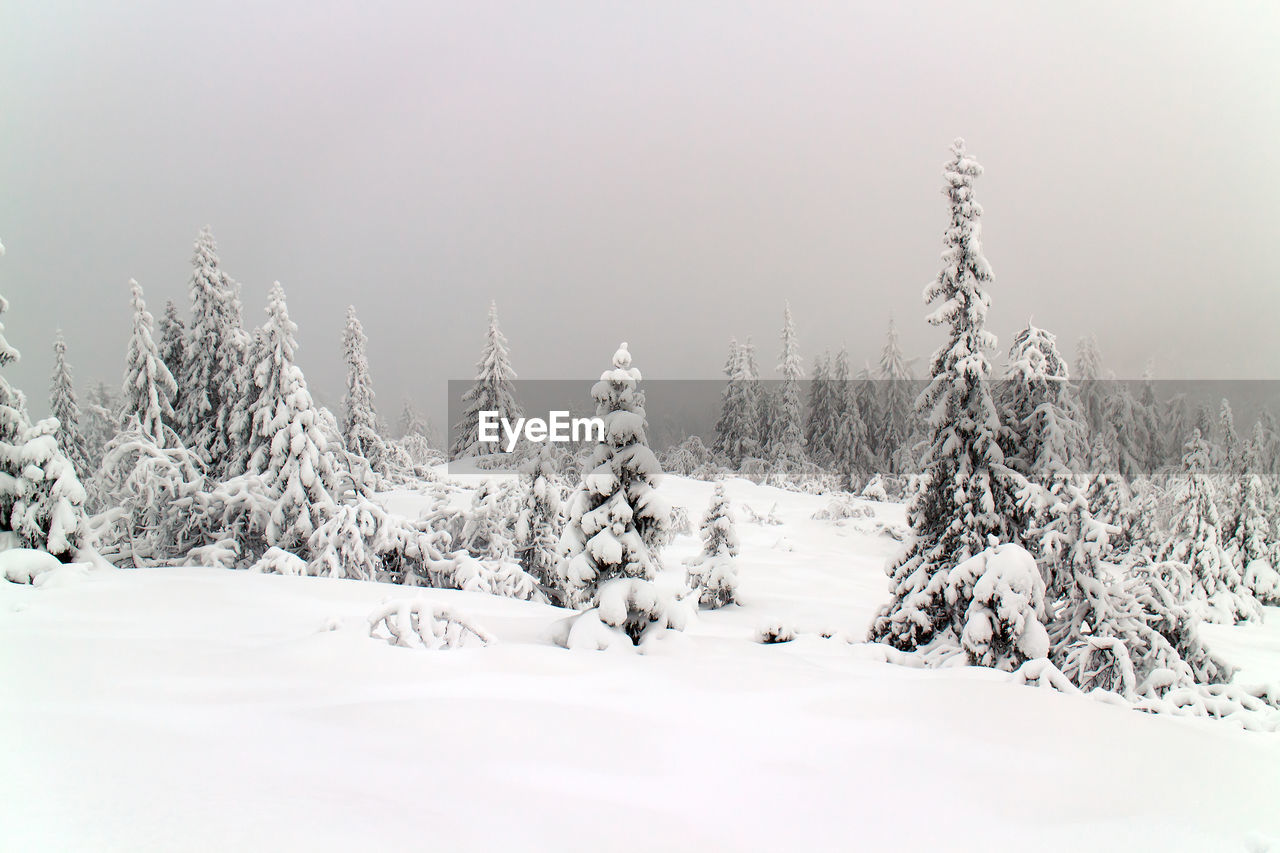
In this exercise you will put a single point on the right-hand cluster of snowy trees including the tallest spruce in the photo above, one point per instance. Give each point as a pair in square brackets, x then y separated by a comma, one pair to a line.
[1035, 540]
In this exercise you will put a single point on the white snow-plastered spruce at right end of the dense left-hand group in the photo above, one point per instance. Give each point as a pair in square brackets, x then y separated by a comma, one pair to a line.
[291, 451]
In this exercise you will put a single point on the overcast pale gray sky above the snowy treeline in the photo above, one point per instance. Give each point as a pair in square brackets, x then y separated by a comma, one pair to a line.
[664, 174]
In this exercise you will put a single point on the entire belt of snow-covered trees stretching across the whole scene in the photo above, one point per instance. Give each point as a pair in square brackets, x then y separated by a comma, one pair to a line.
[1054, 516]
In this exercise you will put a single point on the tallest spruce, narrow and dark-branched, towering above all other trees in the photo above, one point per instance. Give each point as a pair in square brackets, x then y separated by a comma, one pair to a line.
[966, 495]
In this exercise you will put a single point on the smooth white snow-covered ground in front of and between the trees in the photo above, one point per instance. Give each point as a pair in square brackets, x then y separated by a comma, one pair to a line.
[213, 710]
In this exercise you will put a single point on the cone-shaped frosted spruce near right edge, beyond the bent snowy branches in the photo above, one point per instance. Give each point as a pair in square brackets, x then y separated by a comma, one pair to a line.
[1197, 542]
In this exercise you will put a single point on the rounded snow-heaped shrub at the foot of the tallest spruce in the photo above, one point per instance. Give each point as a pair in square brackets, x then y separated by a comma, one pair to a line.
[999, 596]
